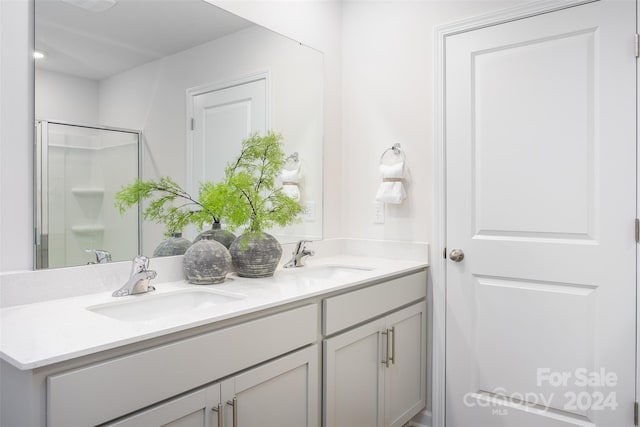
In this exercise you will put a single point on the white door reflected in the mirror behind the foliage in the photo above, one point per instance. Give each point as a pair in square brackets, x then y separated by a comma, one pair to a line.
[222, 118]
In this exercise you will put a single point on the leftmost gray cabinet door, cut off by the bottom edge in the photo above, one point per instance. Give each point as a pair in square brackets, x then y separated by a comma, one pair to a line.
[191, 410]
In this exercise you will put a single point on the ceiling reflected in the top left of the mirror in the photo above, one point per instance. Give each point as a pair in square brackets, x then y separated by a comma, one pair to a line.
[96, 45]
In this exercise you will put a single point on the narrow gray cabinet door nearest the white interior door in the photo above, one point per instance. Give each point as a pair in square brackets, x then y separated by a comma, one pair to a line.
[405, 378]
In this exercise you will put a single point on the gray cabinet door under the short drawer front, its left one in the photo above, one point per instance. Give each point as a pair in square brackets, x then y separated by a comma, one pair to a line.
[353, 374]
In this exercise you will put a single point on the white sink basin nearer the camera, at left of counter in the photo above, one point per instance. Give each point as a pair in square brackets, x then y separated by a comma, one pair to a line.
[155, 306]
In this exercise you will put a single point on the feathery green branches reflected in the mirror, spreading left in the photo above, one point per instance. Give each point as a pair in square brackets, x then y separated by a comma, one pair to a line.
[171, 205]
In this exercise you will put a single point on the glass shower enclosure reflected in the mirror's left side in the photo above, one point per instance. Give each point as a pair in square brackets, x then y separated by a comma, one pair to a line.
[78, 171]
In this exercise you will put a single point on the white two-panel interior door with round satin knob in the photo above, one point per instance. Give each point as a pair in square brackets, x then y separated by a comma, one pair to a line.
[540, 169]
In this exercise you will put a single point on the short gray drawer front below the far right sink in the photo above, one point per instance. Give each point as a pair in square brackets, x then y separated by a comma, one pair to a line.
[343, 311]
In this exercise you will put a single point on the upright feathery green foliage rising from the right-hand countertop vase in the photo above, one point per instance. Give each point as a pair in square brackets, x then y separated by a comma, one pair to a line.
[253, 198]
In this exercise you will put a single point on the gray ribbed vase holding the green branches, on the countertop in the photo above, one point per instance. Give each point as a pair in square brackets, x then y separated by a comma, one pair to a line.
[255, 255]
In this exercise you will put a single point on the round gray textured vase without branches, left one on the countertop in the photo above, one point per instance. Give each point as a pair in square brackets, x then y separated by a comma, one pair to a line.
[206, 262]
